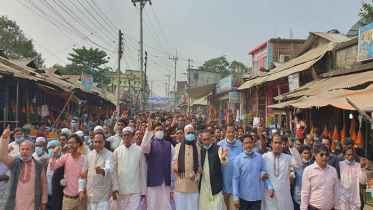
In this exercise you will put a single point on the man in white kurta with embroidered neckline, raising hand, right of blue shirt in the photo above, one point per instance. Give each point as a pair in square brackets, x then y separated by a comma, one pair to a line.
[278, 168]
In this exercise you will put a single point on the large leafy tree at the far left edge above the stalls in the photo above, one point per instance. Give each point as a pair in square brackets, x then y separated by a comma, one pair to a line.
[15, 44]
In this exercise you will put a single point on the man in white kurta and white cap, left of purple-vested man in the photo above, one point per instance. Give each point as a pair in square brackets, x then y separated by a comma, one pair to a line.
[129, 174]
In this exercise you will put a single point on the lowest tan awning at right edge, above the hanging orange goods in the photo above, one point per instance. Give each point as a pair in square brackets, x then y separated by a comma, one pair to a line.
[360, 98]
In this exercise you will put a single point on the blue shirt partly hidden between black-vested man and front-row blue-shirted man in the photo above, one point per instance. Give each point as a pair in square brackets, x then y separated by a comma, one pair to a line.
[227, 170]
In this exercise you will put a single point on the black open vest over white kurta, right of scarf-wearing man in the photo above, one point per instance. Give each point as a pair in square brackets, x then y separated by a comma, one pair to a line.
[216, 178]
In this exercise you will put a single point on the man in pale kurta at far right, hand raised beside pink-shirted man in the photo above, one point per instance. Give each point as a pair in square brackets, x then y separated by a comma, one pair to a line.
[352, 173]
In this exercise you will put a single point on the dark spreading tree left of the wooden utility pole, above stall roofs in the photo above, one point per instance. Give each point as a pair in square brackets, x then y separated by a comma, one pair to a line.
[88, 61]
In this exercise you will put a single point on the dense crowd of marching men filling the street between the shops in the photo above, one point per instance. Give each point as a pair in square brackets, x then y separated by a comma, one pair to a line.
[117, 162]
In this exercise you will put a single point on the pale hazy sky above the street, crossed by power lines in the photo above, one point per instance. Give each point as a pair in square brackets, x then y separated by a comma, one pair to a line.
[197, 30]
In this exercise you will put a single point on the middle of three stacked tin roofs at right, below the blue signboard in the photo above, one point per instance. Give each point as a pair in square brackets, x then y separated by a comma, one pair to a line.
[326, 85]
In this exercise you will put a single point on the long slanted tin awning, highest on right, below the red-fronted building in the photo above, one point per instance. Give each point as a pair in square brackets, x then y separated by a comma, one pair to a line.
[295, 65]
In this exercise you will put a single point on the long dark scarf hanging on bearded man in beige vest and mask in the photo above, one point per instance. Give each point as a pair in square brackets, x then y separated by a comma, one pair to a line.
[181, 158]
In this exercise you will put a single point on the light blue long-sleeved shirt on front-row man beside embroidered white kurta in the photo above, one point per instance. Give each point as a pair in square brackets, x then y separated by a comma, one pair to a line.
[247, 177]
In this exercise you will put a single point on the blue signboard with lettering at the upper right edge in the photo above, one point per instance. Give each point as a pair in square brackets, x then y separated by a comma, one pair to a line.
[365, 43]
